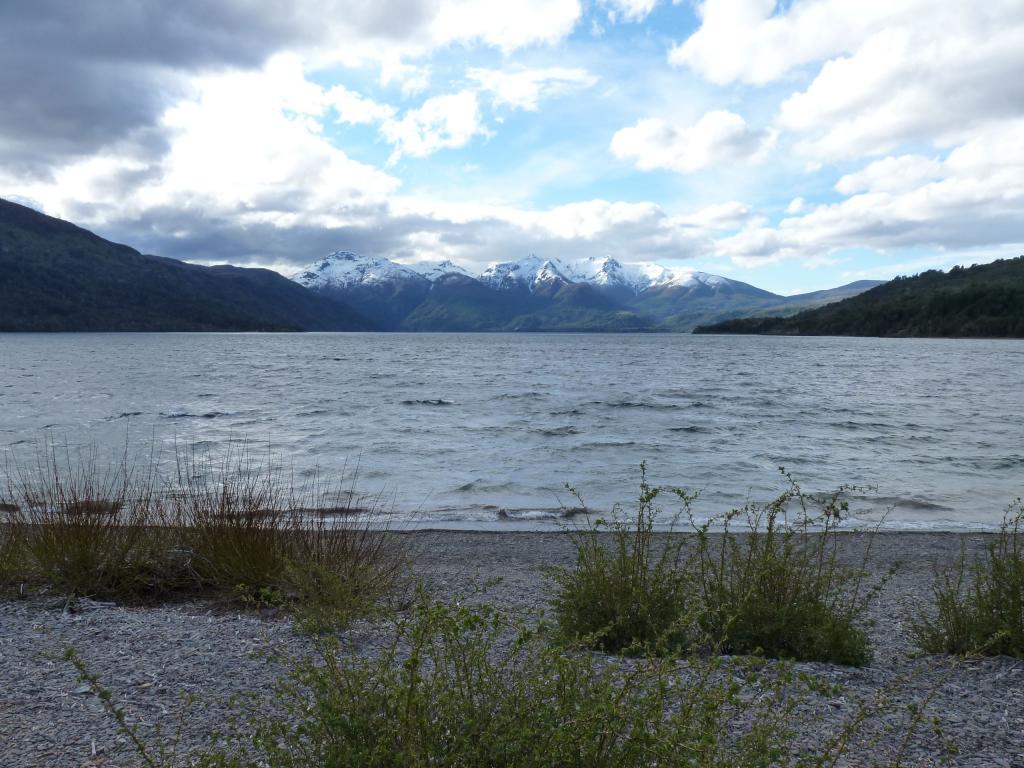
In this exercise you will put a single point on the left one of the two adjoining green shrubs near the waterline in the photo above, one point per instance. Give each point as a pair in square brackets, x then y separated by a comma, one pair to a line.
[632, 596]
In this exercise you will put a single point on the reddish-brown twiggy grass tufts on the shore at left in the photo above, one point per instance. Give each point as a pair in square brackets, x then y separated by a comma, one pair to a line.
[232, 526]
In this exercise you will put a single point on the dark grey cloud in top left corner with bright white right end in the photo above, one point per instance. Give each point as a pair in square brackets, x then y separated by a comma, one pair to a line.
[78, 77]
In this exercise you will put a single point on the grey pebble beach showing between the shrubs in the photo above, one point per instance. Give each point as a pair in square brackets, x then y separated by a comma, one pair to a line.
[155, 659]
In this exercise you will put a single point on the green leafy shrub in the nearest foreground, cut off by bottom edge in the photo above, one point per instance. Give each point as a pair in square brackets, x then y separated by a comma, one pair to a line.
[474, 687]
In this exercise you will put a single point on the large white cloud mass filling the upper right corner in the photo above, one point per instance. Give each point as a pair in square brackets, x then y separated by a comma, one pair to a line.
[885, 73]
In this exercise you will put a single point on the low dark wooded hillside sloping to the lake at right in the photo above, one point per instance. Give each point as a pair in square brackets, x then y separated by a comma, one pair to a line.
[986, 301]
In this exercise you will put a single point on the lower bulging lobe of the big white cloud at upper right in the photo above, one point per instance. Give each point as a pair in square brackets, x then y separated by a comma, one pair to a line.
[921, 83]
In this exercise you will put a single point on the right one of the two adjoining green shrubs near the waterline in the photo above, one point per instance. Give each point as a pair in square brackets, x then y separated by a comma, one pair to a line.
[779, 588]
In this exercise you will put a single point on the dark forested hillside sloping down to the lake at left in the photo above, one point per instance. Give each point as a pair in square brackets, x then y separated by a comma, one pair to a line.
[58, 277]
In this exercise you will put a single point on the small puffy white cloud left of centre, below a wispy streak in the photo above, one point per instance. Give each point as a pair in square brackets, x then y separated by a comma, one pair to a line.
[441, 123]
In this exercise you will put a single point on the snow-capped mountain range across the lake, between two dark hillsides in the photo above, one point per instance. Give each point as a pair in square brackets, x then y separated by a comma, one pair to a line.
[545, 294]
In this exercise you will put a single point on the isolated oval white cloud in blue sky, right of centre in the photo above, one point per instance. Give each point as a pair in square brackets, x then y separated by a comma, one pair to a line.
[718, 139]
